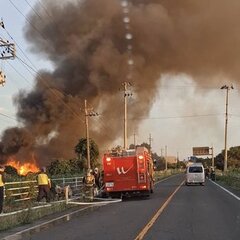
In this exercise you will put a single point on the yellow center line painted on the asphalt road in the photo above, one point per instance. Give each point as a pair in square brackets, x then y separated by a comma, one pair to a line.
[158, 213]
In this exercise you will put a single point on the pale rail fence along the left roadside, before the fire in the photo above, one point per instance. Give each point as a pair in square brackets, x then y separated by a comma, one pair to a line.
[27, 190]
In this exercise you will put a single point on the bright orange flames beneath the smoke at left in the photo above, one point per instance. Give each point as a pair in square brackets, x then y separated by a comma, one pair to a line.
[23, 168]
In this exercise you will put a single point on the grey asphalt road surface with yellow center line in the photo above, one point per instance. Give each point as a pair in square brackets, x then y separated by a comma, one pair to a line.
[194, 212]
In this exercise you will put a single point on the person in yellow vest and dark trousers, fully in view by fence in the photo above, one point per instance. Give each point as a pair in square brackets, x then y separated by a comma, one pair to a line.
[44, 185]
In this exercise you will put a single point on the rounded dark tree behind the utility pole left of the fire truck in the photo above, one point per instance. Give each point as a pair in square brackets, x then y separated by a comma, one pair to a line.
[81, 151]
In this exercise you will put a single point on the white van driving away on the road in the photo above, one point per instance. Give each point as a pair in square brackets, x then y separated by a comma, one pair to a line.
[195, 174]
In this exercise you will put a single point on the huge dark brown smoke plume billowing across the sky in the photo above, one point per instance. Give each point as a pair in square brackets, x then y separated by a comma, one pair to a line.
[85, 40]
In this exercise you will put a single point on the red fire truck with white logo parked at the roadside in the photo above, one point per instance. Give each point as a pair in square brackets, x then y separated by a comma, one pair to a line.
[128, 172]
